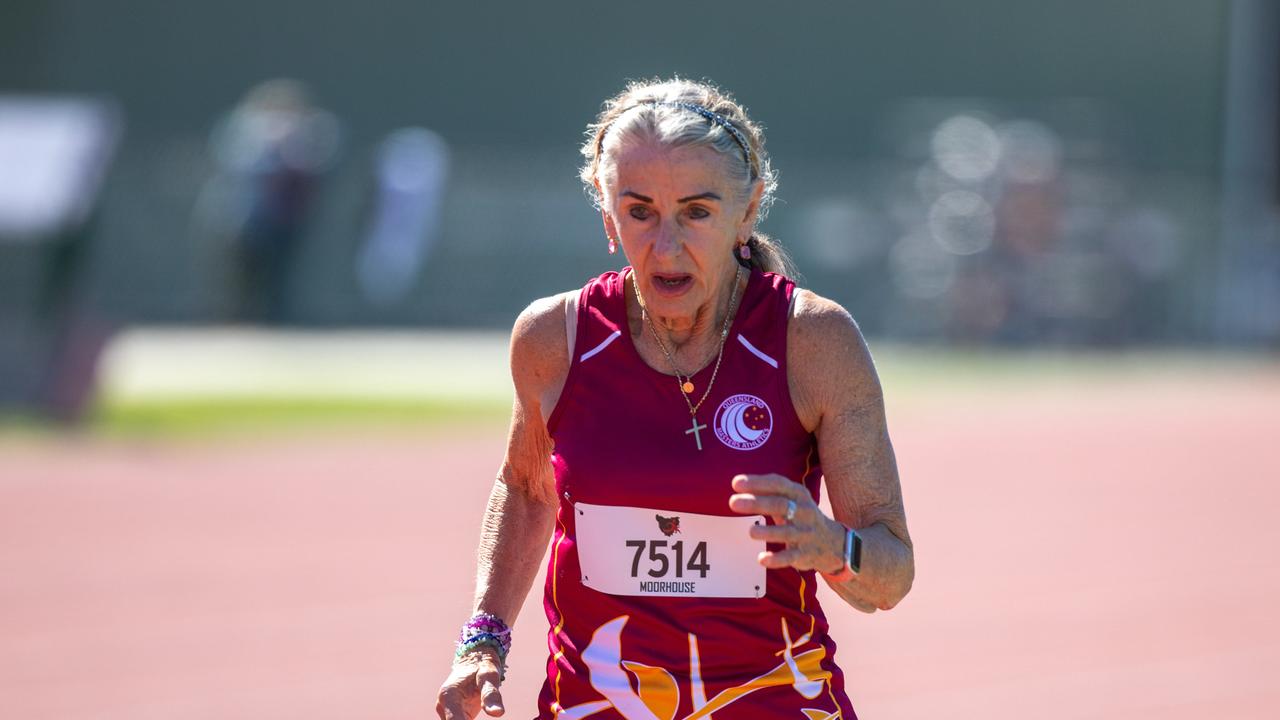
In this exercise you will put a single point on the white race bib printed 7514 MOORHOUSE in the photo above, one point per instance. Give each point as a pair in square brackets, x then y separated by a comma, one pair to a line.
[659, 553]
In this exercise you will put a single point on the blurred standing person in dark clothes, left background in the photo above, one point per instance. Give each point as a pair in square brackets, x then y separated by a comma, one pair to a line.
[271, 153]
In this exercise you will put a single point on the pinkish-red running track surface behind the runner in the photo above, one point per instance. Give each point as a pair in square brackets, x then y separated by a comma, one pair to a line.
[1085, 552]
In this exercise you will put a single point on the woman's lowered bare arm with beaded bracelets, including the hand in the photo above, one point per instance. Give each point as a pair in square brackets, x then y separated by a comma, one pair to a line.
[522, 512]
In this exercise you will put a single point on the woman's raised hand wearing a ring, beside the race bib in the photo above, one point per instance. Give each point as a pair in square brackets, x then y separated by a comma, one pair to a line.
[815, 543]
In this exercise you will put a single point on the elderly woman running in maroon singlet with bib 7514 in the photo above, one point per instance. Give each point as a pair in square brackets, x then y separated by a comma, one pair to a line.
[671, 430]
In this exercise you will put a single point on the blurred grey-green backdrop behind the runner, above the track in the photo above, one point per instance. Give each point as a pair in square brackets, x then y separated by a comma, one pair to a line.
[1075, 175]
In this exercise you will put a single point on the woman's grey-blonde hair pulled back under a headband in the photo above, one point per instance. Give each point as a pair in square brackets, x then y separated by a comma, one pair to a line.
[664, 111]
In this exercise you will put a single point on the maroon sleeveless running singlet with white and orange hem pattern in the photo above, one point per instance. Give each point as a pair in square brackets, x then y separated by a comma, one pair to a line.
[620, 440]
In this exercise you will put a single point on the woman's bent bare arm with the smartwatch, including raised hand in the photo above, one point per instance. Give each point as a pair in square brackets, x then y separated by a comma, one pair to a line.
[838, 397]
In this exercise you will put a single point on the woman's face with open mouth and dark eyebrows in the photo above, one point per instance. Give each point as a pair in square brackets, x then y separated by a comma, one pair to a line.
[678, 220]
